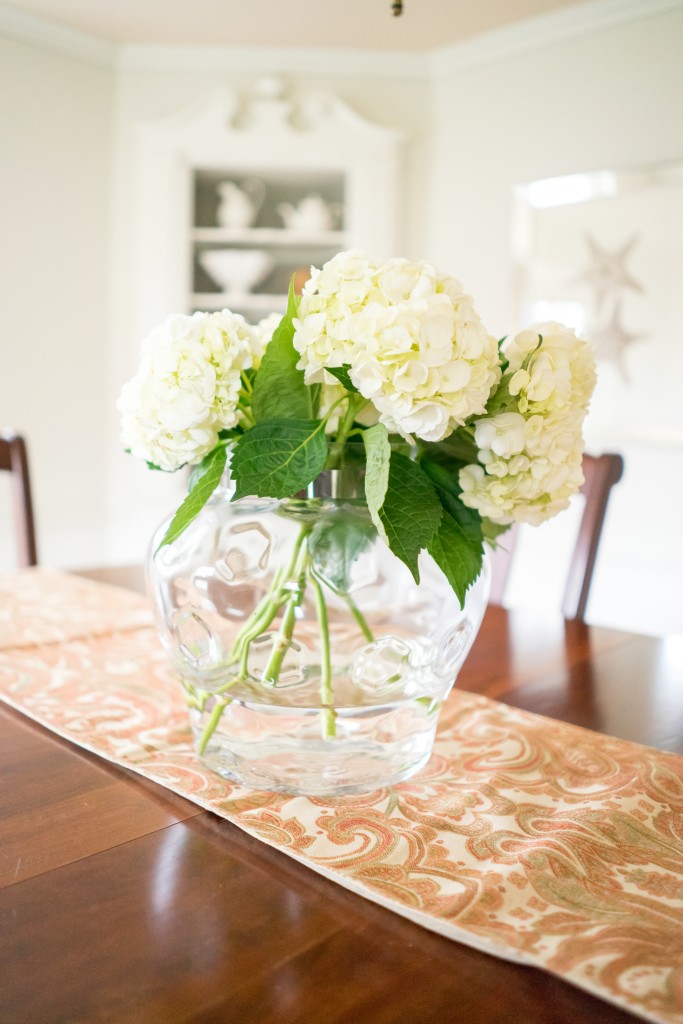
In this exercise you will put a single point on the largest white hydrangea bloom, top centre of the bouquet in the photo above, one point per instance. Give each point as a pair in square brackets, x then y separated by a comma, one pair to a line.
[416, 348]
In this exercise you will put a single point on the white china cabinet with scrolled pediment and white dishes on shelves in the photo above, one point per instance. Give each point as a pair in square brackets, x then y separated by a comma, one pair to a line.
[238, 195]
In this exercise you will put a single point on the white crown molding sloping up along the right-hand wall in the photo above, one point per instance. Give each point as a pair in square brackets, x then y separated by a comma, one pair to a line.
[544, 30]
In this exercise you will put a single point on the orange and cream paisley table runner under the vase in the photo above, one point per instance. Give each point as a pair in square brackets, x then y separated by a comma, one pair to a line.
[530, 839]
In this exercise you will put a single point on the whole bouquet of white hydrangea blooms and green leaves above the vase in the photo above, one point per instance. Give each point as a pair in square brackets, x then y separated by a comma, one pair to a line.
[371, 354]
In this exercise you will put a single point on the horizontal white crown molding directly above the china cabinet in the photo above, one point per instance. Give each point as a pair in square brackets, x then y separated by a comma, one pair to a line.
[276, 60]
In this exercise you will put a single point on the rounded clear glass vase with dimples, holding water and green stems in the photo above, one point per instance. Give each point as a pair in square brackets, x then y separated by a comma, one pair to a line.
[312, 661]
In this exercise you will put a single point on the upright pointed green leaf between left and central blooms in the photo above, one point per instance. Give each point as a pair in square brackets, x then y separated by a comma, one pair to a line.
[280, 392]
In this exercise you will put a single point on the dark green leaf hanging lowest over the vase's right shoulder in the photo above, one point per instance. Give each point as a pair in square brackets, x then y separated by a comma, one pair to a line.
[458, 545]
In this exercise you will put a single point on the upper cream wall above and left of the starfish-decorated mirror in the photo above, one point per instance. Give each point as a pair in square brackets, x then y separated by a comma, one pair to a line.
[609, 100]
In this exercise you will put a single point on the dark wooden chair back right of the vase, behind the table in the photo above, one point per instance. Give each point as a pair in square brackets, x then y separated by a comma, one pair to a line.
[602, 474]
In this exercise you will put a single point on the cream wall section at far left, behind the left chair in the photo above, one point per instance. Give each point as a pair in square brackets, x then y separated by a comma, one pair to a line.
[56, 158]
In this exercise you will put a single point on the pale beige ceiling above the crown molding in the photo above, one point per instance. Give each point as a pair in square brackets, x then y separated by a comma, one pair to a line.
[369, 25]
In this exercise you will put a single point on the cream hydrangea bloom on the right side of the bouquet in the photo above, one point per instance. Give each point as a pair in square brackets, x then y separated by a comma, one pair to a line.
[531, 452]
